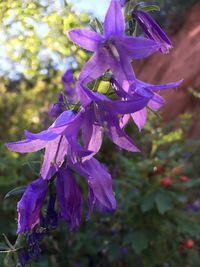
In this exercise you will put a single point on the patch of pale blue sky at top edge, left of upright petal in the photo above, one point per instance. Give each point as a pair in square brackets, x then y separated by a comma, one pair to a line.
[96, 7]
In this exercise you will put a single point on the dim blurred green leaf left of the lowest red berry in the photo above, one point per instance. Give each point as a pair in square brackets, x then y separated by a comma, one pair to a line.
[139, 242]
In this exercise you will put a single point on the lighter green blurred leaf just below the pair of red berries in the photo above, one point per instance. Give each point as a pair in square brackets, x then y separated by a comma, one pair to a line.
[163, 202]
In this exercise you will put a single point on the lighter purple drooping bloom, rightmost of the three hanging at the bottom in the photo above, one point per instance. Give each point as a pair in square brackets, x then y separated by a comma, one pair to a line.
[100, 185]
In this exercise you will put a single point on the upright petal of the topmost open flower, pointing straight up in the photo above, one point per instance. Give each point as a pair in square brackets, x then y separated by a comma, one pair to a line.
[114, 24]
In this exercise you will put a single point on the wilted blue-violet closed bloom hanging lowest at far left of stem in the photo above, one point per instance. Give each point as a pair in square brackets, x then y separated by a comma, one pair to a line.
[30, 205]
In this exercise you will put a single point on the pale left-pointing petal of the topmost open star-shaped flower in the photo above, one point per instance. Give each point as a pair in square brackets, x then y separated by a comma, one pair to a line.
[86, 39]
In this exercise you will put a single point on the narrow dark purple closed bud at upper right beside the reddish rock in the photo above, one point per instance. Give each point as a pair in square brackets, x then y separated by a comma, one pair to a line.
[152, 30]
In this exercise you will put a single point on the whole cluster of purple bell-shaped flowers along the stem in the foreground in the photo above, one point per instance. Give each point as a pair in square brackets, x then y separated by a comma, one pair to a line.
[74, 138]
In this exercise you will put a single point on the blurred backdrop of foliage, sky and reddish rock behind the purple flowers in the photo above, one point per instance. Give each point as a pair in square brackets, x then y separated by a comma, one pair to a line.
[153, 222]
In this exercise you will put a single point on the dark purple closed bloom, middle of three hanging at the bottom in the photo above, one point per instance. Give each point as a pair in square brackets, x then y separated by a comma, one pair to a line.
[70, 198]
